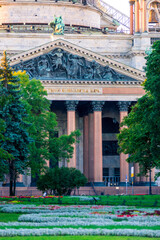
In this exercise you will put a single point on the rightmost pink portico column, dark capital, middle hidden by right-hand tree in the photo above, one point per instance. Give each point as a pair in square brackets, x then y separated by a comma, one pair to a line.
[124, 166]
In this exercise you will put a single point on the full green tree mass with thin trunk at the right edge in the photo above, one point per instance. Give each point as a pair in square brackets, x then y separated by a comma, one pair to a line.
[140, 137]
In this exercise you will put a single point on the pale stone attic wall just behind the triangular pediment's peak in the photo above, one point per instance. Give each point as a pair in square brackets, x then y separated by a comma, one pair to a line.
[118, 47]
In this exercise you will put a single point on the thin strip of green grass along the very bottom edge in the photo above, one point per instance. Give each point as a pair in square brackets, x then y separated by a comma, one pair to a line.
[78, 238]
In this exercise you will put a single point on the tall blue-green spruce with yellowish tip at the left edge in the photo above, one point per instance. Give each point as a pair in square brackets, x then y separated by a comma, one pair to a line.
[12, 112]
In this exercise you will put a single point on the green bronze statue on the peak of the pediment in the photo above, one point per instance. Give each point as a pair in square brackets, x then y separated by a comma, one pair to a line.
[57, 25]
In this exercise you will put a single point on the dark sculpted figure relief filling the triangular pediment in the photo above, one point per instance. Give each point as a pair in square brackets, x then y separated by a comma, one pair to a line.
[59, 64]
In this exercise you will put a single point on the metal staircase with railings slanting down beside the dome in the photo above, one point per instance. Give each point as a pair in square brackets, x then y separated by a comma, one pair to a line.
[112, 12]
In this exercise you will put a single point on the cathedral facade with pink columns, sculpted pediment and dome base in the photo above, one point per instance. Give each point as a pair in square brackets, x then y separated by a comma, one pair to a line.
[92, 72]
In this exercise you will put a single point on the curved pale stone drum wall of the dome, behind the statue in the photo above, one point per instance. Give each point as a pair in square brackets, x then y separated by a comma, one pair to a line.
[43, 12]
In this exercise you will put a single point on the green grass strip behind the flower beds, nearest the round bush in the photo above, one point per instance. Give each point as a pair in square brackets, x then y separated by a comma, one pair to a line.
[139, 201]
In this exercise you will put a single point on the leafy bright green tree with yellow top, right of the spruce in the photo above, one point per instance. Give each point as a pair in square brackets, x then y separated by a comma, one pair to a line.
[43, 128]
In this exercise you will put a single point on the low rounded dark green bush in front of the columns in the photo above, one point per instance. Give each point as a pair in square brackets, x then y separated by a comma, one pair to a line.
[61, 181]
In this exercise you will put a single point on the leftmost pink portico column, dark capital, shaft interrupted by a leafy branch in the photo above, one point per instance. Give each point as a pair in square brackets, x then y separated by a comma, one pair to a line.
[71, 126]
